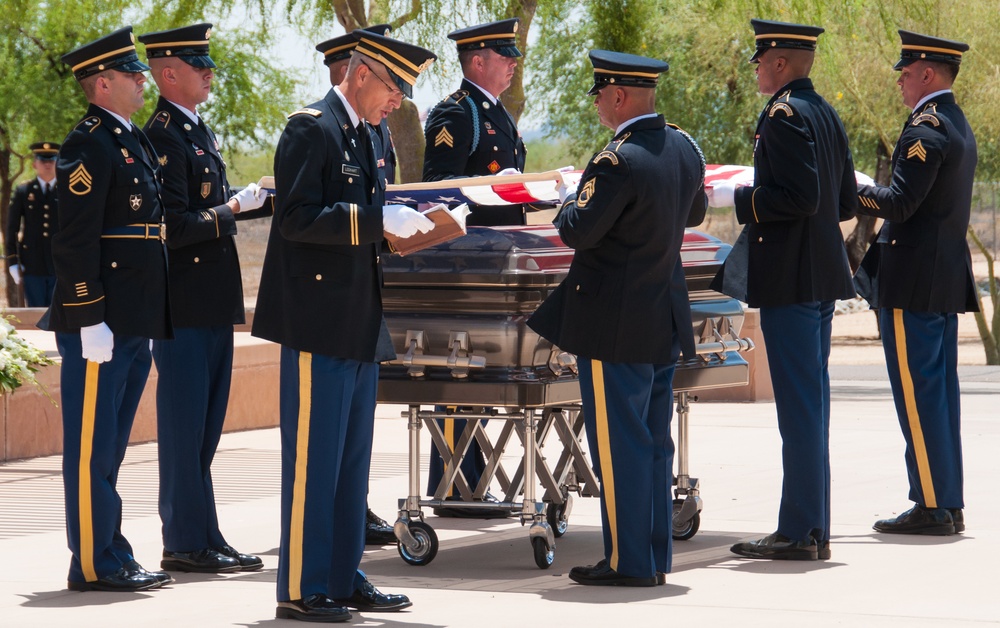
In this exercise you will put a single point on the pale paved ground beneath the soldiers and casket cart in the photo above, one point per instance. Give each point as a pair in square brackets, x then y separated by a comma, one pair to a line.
[485, 575]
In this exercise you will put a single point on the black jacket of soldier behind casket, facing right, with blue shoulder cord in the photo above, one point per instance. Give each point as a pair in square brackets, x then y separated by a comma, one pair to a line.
[467, 136]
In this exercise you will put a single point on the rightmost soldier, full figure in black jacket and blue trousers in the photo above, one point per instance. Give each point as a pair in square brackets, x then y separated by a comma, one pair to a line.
[918, 274]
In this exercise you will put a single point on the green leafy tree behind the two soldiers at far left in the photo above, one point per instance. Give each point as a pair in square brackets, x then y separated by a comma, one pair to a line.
[39, 99]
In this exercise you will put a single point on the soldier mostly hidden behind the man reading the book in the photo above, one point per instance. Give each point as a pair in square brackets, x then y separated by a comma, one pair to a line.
[336, 54]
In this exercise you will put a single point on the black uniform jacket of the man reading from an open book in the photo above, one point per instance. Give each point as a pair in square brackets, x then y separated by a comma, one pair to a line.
[320, 287]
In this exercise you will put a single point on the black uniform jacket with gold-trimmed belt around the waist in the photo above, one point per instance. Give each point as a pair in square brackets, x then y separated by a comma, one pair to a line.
[109, 267]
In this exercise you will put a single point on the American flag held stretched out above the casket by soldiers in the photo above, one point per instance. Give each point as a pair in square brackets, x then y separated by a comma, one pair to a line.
[535, 188]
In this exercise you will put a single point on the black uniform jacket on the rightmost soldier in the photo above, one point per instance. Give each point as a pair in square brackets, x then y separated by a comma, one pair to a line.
[920, 260]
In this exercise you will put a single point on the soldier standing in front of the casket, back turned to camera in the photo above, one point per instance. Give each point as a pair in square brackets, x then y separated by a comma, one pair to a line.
[623, 310]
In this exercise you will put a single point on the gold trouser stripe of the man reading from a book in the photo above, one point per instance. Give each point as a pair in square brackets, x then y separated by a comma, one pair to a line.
[296, 532]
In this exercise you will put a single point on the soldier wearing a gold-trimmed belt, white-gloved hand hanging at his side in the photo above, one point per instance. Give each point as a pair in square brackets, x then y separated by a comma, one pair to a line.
[110, 300]
